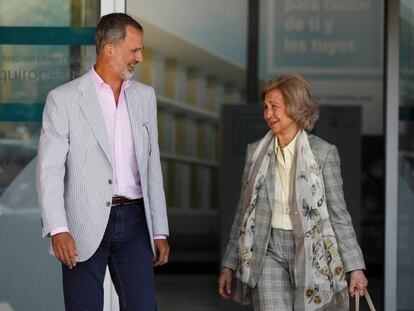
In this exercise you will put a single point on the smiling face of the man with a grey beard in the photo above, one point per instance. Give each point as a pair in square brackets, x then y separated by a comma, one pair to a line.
[128, 53]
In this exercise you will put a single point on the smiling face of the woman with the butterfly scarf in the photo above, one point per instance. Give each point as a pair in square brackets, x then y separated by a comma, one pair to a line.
[275, 114]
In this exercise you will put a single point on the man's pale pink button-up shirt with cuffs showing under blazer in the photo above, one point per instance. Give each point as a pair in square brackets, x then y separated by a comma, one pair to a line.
[126, 180]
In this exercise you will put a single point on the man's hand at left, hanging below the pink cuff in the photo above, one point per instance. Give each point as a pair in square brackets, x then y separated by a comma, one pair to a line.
[65, 248]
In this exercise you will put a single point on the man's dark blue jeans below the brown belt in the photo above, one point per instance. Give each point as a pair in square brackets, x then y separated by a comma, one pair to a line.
[126, 250]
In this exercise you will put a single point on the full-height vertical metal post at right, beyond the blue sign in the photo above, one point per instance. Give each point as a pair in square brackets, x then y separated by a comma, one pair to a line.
[392, 86]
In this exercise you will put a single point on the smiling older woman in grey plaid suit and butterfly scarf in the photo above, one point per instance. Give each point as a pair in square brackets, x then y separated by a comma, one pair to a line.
[292, 240]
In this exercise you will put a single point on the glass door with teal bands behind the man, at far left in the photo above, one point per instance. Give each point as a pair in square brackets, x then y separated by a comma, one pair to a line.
[43, 43]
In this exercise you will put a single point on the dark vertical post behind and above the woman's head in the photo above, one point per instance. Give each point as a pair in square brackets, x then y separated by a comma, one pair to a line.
[252, 78]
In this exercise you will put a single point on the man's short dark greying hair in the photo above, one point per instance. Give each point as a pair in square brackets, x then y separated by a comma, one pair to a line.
[111, 29]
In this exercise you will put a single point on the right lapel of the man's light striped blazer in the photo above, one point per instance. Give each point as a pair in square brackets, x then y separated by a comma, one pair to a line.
[134, 103]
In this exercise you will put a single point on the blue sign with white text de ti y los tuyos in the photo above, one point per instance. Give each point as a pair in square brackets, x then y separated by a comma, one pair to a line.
[324, 37]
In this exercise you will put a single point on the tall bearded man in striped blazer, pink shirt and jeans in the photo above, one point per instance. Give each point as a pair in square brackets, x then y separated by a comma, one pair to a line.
[99, 176]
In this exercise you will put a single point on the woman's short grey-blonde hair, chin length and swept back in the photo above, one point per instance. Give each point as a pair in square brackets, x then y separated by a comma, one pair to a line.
[297, 94]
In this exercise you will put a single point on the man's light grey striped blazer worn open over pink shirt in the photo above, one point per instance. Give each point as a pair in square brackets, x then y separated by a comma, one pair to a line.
[74, 168]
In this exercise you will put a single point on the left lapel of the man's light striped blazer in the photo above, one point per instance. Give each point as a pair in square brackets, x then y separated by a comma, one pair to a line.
[89, 104]
